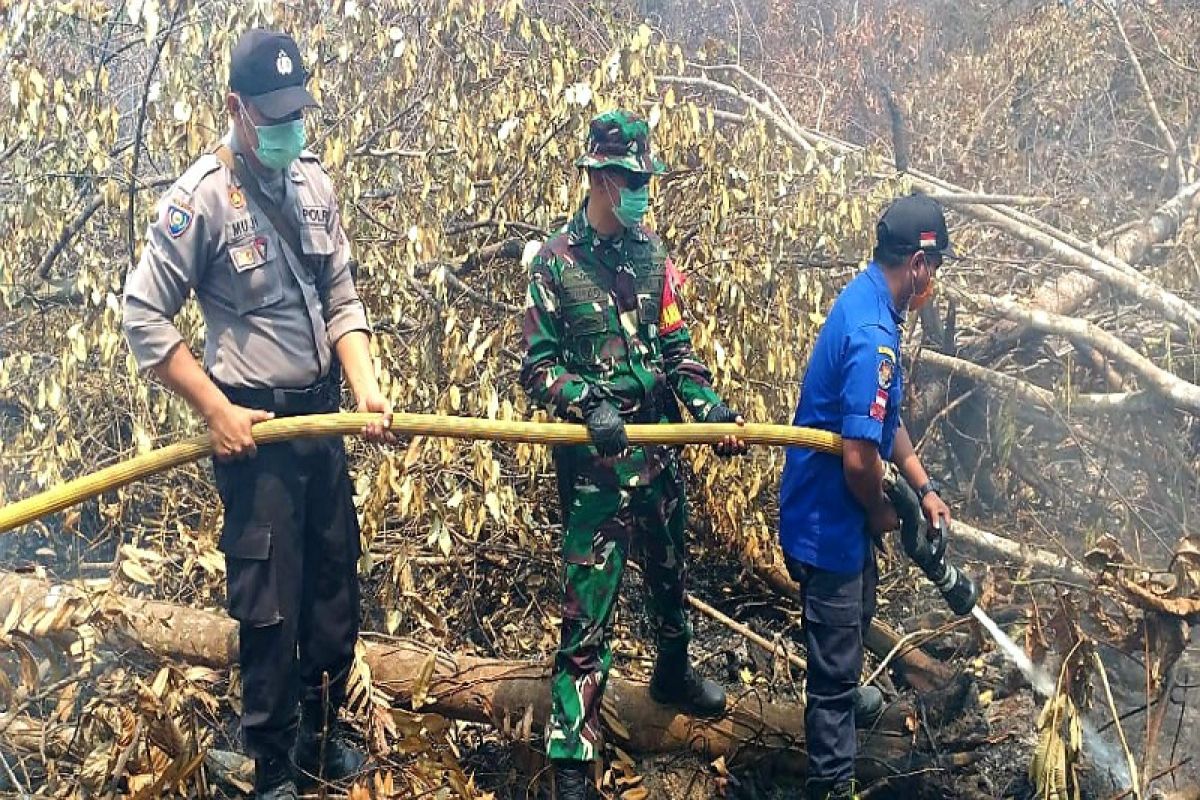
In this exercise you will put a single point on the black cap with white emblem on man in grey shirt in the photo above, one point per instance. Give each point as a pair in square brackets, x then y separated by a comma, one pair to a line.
[266, 69]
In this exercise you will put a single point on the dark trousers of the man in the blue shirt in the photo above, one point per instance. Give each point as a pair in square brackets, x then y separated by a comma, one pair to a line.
[838, 609]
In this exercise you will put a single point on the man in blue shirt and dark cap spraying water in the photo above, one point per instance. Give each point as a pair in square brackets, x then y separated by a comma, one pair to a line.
[833, 507]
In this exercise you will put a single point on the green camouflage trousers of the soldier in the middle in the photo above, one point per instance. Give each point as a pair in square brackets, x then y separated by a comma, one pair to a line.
[603, 525]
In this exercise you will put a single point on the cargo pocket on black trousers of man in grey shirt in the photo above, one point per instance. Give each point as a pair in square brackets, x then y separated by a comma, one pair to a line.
[254, 596]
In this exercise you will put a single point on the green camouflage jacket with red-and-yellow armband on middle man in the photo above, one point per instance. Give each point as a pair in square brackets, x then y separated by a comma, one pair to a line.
[603, 322]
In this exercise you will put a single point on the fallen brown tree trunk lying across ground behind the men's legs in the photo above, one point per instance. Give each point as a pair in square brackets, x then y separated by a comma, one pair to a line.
[505, 694]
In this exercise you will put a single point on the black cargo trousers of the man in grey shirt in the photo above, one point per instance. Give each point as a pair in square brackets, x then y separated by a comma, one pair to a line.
[291, 542]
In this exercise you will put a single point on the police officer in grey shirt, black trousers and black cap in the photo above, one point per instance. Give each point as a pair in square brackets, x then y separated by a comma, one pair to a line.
[254, 230]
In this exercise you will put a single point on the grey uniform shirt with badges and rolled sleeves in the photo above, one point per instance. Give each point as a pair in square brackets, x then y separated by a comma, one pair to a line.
[271, 320]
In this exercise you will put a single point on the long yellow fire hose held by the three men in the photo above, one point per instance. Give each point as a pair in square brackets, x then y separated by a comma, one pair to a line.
[405, 425]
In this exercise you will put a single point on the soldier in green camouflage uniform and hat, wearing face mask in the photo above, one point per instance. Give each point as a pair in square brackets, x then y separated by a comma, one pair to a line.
[607, 345]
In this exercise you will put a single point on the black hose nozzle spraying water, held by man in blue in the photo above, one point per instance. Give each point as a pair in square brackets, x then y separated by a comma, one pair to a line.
[928, 549]
